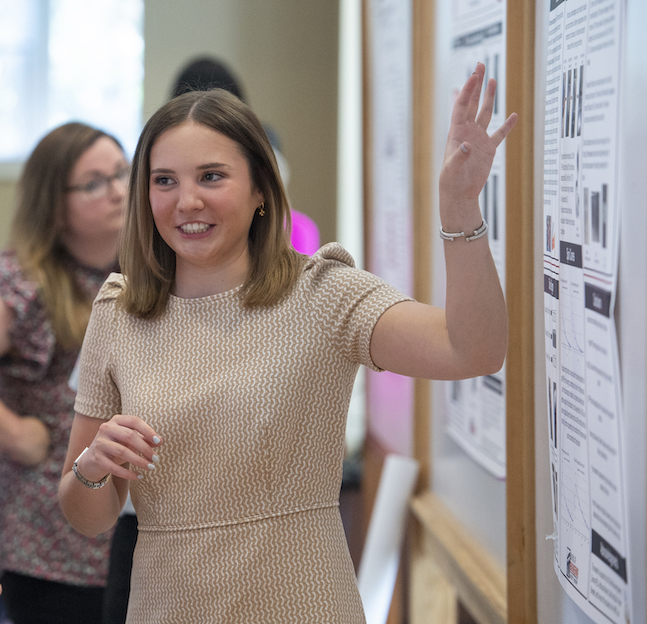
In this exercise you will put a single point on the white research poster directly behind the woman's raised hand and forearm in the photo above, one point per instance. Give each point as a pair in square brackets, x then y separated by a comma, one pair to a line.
[476, 407]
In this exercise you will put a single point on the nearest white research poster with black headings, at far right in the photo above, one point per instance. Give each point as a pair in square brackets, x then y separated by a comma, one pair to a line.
[580, 238]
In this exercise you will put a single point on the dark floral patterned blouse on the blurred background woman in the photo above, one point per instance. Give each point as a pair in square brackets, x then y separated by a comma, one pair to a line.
[35, 538]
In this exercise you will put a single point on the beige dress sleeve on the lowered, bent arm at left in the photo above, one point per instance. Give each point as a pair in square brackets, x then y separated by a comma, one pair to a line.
[98, 395]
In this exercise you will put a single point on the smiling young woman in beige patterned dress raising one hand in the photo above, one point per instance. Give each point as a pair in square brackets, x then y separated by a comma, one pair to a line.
[217, 370]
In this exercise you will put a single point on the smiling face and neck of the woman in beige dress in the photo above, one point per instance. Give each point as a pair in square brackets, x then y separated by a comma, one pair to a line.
[203, 201]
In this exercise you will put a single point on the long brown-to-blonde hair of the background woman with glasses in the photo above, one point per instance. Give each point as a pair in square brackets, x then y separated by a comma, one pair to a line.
[38, 222]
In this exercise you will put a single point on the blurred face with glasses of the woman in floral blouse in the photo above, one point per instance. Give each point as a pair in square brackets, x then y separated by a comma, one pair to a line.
[96, 194]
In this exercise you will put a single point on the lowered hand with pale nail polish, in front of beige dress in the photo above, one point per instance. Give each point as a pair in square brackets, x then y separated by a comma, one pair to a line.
[121, 440]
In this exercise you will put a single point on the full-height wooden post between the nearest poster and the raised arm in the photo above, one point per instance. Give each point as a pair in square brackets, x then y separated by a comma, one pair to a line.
[520, 407]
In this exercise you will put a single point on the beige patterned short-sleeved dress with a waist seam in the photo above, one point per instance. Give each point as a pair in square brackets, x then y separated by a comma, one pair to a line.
[240, 521]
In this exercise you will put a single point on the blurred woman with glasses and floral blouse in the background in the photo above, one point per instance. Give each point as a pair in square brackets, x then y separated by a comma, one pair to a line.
[63, 244]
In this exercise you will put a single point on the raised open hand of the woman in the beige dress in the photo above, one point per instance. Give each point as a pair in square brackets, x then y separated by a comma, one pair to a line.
[470, 150]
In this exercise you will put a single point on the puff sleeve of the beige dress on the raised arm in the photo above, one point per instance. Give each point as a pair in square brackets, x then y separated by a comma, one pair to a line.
[348, 302]
